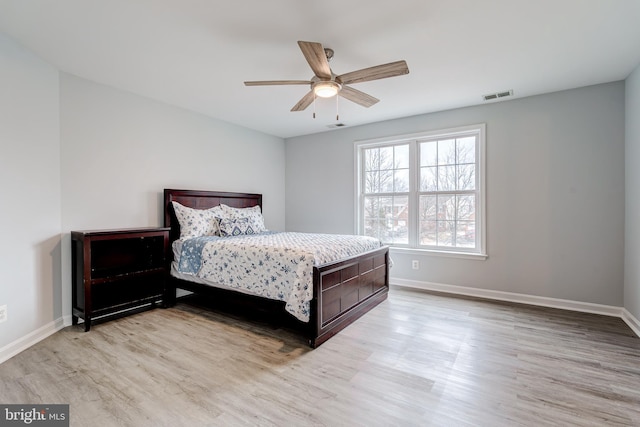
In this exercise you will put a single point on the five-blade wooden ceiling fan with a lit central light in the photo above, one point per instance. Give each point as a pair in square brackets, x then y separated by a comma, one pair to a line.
[326, 84]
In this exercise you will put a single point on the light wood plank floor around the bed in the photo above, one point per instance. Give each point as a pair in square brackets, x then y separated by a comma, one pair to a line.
[417, 359]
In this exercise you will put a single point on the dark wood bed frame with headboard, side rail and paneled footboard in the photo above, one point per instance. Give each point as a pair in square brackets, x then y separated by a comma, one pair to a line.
[342, 291]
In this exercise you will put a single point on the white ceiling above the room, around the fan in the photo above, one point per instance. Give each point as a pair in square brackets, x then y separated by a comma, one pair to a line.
[196, 54]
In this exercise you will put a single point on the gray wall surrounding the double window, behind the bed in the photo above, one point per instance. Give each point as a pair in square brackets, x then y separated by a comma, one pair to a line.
[555, 194]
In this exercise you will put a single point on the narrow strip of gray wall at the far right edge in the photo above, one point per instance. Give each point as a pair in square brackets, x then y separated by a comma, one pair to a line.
[632, 191]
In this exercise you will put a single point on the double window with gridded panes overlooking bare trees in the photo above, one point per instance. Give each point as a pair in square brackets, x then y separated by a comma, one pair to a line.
[424, 191]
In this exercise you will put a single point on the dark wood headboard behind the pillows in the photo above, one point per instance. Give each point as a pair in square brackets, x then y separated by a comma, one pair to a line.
[203, 200]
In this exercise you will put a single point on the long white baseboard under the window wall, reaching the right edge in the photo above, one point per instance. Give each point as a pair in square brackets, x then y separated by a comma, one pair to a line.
[584, 307]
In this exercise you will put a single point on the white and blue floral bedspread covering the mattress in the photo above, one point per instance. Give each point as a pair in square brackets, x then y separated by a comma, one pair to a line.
[275, 265]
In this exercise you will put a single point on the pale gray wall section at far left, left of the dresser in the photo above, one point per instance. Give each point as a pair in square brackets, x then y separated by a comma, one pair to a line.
[30, 193]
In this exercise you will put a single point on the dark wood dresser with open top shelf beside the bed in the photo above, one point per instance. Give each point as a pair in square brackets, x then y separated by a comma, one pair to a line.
[115, 271]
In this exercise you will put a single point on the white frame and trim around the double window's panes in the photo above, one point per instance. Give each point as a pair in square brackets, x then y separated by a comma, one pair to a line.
[480, 252]
